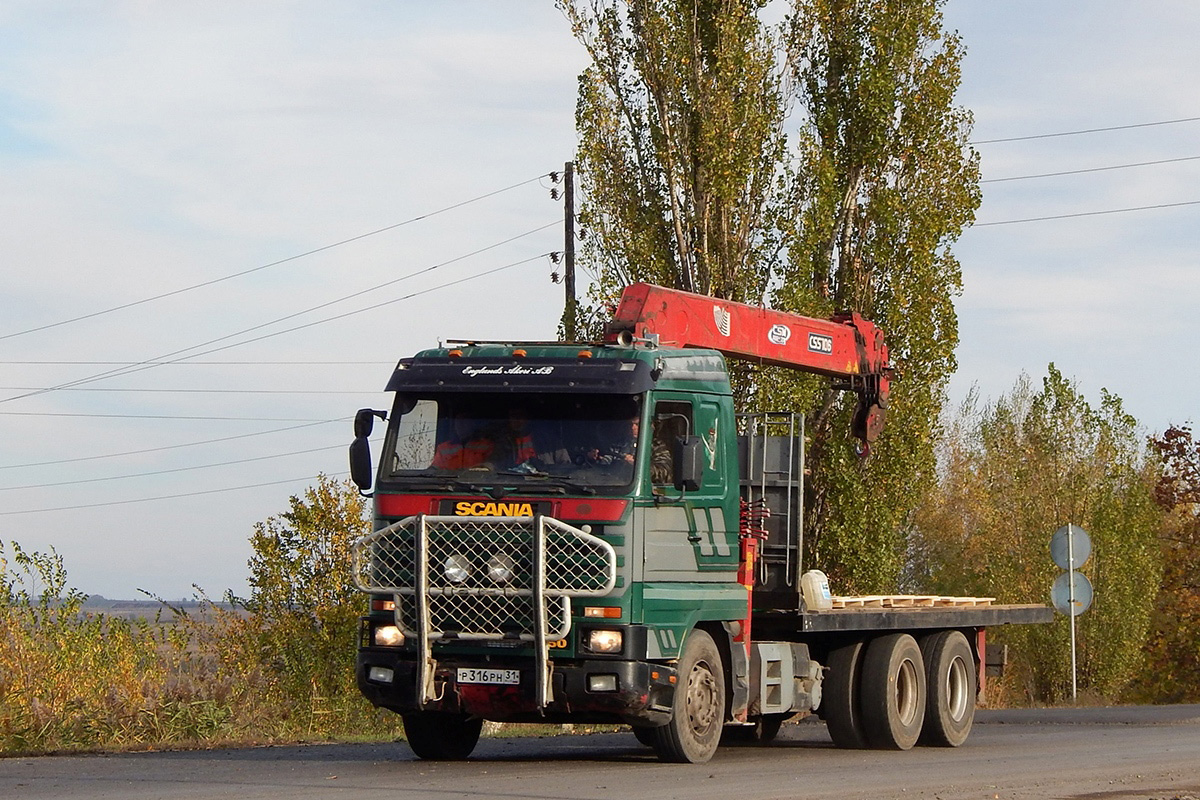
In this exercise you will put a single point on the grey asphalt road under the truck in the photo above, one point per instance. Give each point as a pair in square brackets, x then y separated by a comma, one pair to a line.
[1090, 754]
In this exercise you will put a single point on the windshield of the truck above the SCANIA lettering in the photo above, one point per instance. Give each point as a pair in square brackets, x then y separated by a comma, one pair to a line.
[562, 443]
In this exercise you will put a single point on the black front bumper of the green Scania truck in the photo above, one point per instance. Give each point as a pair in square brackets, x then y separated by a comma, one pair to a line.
[643, 695]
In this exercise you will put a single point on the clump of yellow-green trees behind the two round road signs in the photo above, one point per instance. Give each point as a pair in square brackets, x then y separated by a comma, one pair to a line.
[1013, 473]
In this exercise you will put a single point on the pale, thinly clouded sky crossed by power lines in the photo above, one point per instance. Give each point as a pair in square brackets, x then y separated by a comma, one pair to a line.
[281, 200]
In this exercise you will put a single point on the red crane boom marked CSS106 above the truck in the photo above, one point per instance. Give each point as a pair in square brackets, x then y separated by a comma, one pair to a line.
[848, 348]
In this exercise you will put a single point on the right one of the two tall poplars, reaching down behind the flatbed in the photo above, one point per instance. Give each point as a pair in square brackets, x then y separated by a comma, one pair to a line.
[887, 183]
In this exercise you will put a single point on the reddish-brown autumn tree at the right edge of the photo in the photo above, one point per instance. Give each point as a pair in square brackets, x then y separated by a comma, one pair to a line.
[1173, 648]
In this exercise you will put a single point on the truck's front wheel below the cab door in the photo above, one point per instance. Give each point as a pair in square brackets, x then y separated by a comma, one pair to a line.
[699, 707]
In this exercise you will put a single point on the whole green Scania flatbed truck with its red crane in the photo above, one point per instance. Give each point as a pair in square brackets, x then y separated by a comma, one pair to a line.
[590, 533]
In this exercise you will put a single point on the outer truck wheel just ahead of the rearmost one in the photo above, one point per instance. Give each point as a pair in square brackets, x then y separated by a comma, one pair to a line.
[893, 693]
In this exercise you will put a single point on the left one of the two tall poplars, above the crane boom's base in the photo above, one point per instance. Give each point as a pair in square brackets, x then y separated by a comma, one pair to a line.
[681, 146]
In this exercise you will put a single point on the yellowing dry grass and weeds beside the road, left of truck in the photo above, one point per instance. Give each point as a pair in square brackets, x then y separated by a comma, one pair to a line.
[73, 681]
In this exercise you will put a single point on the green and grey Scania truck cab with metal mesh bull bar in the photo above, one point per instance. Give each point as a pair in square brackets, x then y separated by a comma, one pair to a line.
[620, 465]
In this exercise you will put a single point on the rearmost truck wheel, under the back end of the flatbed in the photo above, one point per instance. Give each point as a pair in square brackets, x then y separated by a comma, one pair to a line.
[951, 689]
